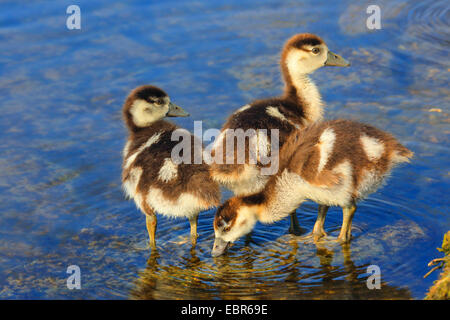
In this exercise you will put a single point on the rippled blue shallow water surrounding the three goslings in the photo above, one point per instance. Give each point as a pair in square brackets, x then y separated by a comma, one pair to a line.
[62, 136]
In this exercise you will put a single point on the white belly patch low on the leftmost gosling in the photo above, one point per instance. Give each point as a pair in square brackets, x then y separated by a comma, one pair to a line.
[186, 205]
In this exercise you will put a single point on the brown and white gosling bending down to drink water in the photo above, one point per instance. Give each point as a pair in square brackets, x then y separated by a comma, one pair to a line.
[333, 163]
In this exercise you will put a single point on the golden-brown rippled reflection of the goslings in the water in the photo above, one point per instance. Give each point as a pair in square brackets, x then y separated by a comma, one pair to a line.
[279, 273]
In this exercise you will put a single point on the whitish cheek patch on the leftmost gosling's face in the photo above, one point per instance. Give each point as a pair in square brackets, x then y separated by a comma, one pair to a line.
[144, 113]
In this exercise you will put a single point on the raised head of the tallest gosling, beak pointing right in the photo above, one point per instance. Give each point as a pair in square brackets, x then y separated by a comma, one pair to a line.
[304, 53]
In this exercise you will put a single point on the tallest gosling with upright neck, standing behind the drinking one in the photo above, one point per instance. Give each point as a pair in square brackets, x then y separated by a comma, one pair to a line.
[300, 105]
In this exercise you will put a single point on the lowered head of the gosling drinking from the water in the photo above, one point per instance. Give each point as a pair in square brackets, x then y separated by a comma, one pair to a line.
[233, 219]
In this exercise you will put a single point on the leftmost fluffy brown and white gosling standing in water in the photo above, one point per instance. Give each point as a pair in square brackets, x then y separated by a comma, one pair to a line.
[150, 177]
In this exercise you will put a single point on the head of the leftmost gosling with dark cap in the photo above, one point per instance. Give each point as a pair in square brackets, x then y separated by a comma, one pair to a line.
[148, 104]
